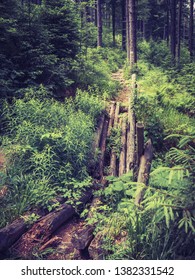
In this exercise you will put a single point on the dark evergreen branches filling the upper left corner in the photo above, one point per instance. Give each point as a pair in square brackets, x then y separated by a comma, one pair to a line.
[38, 45]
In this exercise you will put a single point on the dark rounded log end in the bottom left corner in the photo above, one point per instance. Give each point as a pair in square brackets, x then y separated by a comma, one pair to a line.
[11, 233]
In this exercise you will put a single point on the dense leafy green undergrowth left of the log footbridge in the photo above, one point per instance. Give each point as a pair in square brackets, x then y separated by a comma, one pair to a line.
[48, 149]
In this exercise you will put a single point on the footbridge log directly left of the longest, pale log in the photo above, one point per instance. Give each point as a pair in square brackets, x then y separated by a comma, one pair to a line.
[122, 158]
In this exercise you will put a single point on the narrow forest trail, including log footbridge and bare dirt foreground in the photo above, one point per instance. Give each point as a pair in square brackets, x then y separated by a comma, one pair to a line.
[59, 245]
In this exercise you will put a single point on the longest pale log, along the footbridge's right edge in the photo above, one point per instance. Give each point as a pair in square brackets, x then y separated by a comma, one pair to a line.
[130, 162]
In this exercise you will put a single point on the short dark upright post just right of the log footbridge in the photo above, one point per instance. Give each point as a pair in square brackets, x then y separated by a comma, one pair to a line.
[140, 141]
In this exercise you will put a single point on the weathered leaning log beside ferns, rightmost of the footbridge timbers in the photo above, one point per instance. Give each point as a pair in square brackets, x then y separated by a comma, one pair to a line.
[144, 171]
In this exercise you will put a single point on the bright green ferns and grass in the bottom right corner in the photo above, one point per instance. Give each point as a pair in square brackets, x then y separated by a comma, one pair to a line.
[153, 231]
